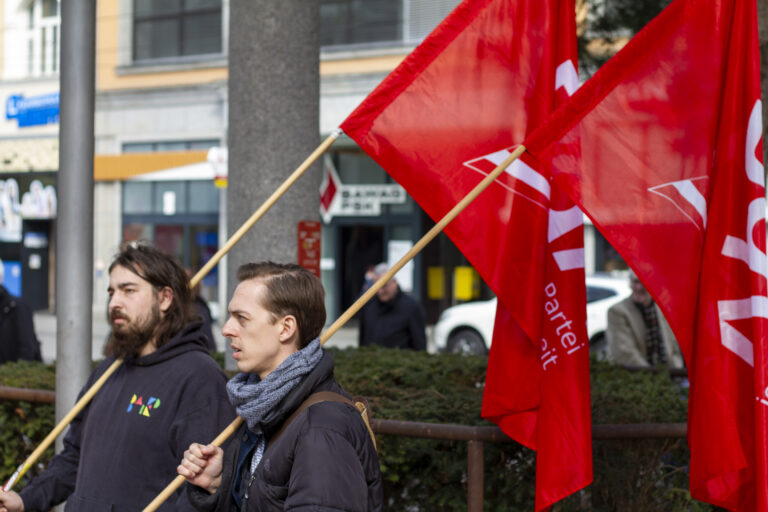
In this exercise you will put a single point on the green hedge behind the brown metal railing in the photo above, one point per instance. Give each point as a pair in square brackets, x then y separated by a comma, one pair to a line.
[424, 474]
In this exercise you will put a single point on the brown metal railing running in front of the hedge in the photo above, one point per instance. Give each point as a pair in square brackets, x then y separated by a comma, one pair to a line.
[473, 436]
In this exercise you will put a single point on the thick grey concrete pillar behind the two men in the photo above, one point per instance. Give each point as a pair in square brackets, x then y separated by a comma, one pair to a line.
[273, 124]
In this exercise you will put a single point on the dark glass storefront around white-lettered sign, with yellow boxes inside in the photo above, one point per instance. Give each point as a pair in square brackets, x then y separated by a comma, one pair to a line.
[439, 275]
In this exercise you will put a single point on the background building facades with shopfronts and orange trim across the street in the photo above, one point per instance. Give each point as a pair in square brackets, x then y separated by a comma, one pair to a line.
[161, 105]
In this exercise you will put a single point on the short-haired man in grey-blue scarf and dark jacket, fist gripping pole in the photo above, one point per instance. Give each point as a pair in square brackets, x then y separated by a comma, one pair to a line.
[321, 458]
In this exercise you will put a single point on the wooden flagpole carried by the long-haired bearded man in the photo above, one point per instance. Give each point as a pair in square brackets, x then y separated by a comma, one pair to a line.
[67, 419]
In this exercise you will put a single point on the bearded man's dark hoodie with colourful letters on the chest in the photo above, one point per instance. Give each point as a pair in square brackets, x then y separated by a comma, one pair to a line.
[122, 450]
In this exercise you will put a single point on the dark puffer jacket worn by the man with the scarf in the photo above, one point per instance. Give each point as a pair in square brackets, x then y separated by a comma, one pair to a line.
[324, 461]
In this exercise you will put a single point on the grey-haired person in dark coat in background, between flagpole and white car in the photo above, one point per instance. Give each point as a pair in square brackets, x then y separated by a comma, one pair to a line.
[392, 319]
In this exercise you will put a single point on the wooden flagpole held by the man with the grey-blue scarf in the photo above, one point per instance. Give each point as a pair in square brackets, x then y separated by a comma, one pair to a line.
[360, 302]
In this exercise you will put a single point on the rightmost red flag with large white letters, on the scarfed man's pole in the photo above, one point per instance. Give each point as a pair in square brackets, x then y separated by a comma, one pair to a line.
[662, 149]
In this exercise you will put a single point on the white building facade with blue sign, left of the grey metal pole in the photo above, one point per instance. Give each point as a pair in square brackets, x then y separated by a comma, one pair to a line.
[29, 147]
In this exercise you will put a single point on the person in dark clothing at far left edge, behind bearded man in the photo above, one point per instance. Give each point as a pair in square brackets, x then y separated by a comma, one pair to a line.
[17, 329]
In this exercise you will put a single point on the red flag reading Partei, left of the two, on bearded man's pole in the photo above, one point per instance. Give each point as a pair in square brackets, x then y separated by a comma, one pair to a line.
[438, 124]
